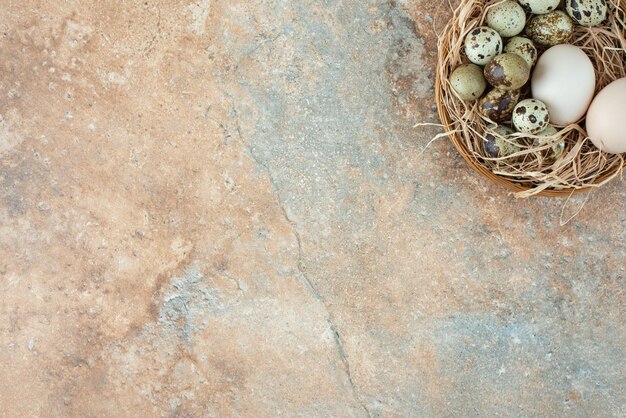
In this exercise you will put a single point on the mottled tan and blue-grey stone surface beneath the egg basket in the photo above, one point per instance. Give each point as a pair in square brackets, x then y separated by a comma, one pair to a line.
[222, 208]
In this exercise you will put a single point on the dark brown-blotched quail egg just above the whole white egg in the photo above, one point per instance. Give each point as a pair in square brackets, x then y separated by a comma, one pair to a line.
[550, 29]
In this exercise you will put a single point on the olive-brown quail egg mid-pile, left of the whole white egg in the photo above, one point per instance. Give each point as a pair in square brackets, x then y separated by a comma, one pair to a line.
[507, 72]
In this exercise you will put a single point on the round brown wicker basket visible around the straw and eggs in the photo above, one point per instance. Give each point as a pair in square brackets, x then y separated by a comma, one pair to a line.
[451, 34]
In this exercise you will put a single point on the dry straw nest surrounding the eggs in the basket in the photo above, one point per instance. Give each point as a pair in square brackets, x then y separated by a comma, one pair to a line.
[533, 170]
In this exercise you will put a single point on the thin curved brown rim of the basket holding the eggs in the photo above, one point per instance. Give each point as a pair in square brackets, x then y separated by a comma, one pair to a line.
[456, 139]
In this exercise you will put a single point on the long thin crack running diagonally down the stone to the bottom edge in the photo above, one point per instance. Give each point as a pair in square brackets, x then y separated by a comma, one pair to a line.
[300, 264]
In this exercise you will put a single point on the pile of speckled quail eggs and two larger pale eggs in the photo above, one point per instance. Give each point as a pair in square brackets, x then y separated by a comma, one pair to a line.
[562, 79]
